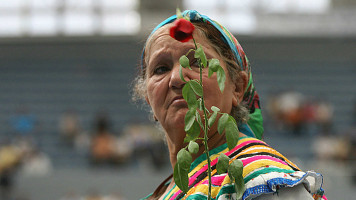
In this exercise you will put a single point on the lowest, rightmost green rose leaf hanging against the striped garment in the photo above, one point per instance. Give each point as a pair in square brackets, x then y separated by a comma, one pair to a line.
[235, 171]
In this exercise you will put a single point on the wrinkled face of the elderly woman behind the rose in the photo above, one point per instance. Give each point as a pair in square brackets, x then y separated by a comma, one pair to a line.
[164, 86]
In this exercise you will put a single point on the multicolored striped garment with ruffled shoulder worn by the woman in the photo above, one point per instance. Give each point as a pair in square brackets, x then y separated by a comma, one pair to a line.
[265, 171]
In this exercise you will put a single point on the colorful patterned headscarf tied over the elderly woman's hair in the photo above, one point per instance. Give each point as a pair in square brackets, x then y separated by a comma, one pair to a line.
[254, 126]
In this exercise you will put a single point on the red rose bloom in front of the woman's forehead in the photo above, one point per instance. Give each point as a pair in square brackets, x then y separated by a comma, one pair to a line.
[182, 30]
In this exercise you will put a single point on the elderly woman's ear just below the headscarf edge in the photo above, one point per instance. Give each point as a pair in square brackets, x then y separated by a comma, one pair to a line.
[240, 87]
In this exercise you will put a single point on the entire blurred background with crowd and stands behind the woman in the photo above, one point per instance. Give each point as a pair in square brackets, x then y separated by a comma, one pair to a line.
[68, 127]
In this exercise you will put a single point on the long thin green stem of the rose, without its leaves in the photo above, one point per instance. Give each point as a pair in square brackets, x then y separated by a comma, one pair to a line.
[205, 126]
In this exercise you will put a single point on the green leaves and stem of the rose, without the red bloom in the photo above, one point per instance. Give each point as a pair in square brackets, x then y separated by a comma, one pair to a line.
[193, 93]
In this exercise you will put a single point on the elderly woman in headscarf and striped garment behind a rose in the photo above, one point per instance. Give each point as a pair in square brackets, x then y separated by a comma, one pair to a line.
[267, 174]
